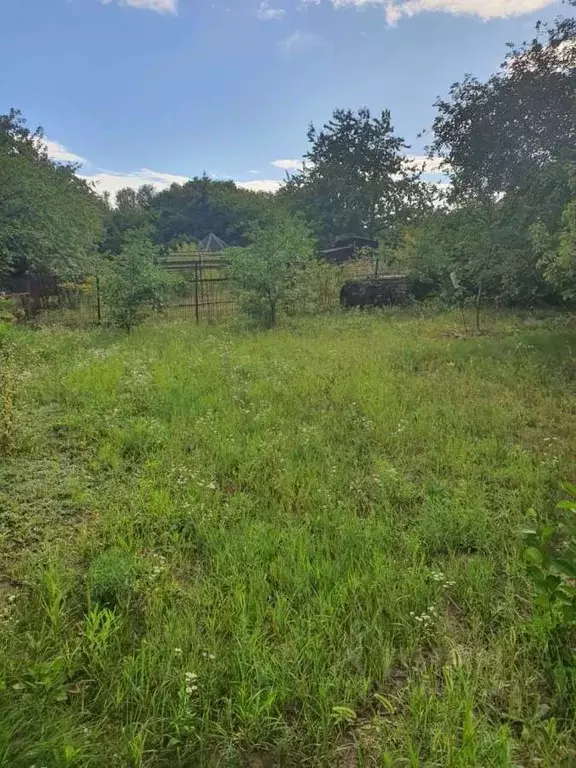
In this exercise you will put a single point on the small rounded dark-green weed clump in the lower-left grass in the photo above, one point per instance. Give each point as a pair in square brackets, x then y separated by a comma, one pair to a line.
[111, 581]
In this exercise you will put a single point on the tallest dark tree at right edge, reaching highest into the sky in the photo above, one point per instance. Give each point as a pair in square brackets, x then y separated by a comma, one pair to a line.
[508, 144]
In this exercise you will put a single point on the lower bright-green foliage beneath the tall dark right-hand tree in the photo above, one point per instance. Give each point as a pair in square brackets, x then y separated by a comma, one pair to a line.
[508, 247]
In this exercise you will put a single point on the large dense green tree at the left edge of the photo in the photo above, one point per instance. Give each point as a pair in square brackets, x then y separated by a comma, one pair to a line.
[50, 219]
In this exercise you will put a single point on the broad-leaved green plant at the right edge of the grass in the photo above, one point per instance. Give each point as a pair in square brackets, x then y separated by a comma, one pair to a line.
[551, 557]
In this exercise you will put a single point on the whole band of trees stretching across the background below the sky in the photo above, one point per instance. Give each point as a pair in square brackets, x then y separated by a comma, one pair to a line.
[501, 226]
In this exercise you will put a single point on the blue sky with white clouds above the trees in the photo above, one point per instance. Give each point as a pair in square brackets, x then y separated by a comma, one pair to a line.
[157, 91]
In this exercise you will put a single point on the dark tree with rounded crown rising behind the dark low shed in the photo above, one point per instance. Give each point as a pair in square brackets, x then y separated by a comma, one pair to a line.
[355, 180]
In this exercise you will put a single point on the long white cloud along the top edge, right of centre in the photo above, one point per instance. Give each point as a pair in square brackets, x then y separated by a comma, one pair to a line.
[485, 9]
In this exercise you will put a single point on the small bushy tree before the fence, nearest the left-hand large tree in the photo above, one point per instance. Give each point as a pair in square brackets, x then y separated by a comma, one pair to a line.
[134, 283]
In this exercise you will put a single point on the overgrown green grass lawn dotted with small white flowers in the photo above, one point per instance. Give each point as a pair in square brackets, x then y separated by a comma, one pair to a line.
[296, 548]
